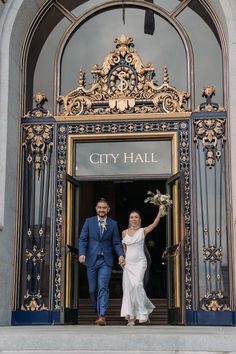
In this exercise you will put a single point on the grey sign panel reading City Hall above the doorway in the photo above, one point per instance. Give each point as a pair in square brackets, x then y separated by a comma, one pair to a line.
[113, 158]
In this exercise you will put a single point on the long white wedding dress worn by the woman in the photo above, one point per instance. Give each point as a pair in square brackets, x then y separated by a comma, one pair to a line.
[135, 304]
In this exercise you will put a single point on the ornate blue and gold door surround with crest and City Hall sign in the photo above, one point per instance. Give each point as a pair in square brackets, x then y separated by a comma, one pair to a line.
[122, 120]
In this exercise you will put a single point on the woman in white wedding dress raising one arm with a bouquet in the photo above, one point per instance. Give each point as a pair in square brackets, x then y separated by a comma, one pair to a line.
[135, 304]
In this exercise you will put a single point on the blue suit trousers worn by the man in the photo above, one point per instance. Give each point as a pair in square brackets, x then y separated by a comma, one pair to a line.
[98, 281]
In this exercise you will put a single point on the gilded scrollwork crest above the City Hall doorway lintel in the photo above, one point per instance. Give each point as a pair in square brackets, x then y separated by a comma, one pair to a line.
[123, 84]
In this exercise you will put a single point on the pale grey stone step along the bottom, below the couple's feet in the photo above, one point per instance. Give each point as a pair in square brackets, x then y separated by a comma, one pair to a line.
[117, 340]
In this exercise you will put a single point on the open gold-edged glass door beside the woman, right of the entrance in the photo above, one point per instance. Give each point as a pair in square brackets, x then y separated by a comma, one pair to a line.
[175, 251]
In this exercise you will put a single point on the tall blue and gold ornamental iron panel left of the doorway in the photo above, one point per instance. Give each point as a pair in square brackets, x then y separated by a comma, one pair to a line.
[37, 145]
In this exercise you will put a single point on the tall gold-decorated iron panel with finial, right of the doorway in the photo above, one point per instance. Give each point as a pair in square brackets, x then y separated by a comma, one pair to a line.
[209, 134]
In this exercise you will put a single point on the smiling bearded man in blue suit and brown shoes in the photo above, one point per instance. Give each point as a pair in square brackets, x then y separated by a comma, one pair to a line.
[98, 237]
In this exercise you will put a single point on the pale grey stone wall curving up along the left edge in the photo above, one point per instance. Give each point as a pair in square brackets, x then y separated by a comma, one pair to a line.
[14, 22]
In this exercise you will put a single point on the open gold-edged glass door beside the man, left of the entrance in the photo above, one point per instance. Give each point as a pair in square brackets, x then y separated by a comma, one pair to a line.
[70, 267]
